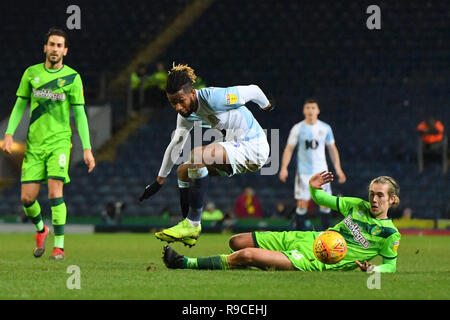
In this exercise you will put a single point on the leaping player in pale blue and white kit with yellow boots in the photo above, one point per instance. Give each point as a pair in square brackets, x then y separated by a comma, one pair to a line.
[245, 148]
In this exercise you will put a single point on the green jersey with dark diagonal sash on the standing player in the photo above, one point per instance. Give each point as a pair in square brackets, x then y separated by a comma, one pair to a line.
[51, 93]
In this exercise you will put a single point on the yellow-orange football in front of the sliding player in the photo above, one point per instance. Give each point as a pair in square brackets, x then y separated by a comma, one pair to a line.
[330, 247]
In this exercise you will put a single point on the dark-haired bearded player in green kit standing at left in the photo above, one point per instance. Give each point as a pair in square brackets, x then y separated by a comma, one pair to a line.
[50, 88]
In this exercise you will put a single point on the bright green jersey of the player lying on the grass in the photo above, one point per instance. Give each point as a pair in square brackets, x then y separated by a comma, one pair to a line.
[366, 236]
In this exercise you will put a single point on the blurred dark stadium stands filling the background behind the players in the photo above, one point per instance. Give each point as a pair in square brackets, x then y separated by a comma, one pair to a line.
[373, 87]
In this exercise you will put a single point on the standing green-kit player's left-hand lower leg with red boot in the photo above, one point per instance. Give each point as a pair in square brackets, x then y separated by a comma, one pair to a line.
[32, 210]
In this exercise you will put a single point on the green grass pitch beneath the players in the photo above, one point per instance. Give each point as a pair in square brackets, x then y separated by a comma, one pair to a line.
[114, 266]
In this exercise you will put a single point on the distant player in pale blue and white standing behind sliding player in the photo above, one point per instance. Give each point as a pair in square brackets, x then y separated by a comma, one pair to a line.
[310, 136]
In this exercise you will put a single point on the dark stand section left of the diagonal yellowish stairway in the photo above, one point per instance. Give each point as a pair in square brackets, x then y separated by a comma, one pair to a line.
[110, 36]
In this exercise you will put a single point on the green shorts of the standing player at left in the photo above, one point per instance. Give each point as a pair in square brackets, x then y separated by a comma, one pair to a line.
[39, 165]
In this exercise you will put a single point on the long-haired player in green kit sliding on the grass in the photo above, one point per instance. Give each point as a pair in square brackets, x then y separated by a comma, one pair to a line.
[366, 228]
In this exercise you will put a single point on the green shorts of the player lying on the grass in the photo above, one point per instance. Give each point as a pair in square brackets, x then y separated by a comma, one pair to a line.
[296, 245]
